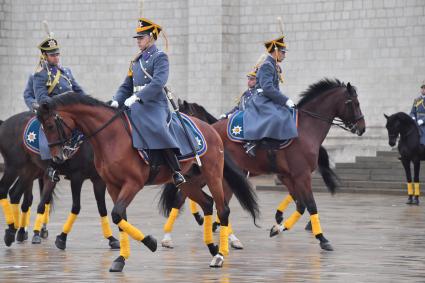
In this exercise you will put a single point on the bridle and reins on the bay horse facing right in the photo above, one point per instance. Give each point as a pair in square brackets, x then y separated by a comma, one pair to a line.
[349, 126]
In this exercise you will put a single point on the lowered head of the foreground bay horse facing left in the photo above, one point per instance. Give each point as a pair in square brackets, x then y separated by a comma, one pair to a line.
[58, 130]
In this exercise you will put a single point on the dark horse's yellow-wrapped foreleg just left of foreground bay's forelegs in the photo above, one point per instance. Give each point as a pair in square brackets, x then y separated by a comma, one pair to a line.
[99, 188]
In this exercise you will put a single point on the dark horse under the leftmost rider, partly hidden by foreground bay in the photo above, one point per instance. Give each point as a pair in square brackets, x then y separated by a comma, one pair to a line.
[22, 167]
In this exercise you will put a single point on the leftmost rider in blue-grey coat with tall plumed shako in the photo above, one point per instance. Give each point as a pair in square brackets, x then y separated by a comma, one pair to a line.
[50, 79]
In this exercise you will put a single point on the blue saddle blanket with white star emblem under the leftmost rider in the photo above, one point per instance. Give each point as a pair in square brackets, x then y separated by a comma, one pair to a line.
[31, 136]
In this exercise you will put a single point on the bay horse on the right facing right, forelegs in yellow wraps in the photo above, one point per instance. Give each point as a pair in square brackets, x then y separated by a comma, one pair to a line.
[320, 104]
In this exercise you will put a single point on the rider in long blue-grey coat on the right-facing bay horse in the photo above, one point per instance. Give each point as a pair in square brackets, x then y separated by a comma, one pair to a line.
[268, 117]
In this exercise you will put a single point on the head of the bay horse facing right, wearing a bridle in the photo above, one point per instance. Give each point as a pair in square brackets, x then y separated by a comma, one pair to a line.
[350, 113]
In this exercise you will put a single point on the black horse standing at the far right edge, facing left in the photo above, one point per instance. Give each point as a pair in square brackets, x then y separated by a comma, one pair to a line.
[409, 147]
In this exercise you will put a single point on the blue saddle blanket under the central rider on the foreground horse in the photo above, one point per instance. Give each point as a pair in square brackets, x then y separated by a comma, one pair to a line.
[200, 142]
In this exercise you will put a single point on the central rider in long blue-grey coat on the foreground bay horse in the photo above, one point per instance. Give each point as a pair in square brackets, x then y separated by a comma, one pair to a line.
[143, 92]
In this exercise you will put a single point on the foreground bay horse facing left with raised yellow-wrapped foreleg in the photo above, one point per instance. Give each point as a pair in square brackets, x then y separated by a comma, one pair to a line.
[125, 172]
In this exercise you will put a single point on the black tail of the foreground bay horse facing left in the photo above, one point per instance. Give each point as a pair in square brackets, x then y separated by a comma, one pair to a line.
[241, 187]
